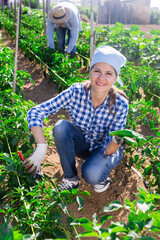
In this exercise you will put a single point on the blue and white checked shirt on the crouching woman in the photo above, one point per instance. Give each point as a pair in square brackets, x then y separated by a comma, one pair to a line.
[95, 124]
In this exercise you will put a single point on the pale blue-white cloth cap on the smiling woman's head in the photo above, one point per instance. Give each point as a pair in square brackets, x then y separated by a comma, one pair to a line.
[111, 56]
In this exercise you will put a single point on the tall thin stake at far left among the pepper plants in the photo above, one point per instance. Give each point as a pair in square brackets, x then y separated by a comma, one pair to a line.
[16, 50]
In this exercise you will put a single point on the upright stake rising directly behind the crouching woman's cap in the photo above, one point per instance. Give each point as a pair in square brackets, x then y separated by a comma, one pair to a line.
[92, 30]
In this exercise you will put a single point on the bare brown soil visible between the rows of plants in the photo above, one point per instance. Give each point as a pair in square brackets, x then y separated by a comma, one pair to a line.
[125, 182]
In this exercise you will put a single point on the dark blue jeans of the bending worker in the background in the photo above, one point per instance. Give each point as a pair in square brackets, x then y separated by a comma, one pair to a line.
[61, 35]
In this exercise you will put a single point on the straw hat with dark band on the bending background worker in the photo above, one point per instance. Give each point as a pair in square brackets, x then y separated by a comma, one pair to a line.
[59, 14]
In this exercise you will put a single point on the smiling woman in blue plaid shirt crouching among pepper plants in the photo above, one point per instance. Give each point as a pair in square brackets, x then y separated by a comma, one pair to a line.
[96, 109]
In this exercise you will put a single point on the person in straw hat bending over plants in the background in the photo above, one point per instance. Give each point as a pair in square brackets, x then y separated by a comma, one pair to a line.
[65, 19]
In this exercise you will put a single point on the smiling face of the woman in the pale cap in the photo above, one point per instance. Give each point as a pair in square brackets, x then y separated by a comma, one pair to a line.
[102, 76]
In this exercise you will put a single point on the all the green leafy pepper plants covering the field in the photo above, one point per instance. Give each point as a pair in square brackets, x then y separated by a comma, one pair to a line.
[33, 209]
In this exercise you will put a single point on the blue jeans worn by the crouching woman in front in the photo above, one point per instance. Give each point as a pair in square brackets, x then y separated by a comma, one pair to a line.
[71, 143]
